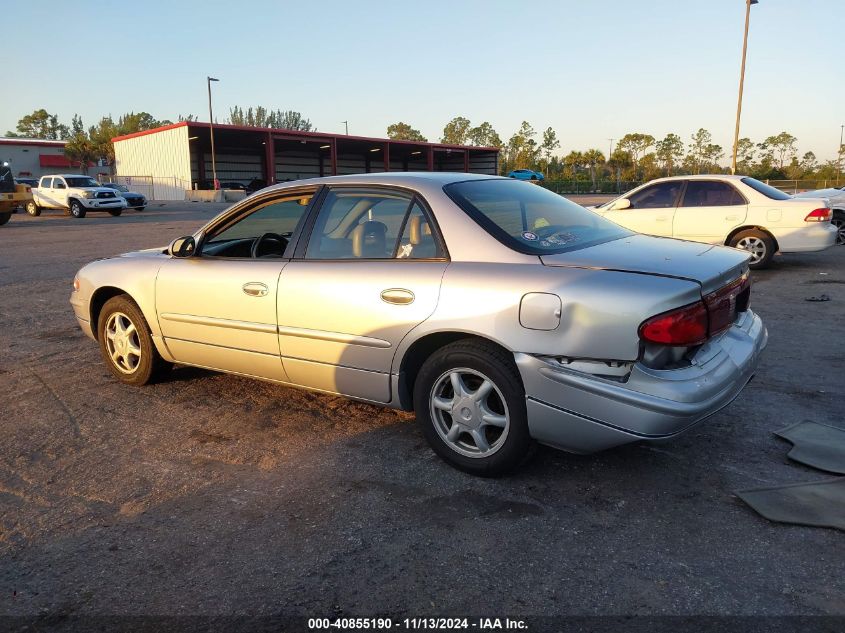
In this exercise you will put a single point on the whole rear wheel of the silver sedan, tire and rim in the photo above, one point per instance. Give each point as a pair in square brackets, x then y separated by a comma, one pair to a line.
[470, 402]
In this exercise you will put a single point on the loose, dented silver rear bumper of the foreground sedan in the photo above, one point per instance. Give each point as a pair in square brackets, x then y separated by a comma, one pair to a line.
[583, 413]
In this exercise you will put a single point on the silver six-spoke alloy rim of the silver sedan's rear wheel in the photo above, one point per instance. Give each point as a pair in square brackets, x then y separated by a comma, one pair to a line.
[469, 412]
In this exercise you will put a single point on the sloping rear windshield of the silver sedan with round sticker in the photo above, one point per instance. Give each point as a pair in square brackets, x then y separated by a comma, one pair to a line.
[529, 218]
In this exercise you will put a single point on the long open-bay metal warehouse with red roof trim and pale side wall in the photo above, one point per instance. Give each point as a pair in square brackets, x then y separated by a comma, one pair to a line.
[166, 162]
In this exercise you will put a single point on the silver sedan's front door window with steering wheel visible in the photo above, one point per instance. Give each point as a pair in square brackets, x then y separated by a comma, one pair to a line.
[278, 217]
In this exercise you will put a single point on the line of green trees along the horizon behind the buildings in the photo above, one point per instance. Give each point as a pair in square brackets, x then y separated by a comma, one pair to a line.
[637, 156]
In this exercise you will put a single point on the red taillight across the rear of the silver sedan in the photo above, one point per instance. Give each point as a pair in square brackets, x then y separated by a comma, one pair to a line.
[695, 323]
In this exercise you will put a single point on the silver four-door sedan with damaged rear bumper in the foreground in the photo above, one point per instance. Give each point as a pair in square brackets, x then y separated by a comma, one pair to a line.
[499, 312]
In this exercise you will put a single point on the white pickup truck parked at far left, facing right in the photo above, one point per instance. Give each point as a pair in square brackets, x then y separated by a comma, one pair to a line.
[75, 194]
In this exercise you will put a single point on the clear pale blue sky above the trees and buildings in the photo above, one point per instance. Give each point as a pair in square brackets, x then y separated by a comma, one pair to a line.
[592, 70]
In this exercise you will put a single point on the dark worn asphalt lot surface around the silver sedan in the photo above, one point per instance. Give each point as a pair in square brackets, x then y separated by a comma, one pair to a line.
[213, 494]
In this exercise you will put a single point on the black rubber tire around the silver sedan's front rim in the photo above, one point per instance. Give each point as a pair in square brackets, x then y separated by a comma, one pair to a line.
[150, 367]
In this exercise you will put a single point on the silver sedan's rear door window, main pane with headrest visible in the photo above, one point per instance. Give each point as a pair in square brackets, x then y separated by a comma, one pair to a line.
[359, 224]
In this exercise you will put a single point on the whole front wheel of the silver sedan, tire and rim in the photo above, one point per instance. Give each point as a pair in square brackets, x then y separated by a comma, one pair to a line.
[126, 343]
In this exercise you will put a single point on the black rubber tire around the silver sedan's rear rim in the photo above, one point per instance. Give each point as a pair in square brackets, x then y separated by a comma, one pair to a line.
[498, 367]
